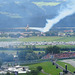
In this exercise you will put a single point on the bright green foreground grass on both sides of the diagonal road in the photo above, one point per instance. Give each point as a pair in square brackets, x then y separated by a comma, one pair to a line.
[49, 68]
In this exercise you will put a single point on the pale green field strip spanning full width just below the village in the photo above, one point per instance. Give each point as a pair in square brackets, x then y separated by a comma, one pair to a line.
[39, 39]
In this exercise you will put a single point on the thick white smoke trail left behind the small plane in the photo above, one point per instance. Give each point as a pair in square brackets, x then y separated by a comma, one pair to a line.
[64, 12]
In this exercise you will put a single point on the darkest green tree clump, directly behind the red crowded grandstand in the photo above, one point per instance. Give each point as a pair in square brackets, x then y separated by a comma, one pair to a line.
[52, 50]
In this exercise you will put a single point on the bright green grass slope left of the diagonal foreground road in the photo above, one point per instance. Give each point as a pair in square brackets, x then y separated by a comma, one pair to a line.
[47, 67]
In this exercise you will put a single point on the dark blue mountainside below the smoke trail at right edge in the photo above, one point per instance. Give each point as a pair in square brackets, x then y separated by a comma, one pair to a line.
[66, 22]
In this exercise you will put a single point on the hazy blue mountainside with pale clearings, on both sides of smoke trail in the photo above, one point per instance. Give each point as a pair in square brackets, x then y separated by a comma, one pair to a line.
[14, 13]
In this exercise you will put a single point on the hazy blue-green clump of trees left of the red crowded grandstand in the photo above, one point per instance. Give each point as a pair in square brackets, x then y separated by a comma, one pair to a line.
[29, 55]
